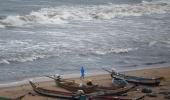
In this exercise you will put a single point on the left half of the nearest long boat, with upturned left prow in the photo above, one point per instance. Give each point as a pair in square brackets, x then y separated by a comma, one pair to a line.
[54, 93]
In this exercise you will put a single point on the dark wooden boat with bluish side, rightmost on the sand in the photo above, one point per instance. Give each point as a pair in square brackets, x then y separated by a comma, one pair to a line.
[135, 79]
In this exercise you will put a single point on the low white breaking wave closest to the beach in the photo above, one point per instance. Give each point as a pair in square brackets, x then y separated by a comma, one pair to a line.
[34, 55]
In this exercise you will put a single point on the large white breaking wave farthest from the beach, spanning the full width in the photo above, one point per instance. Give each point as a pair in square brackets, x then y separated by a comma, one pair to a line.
[65, 14]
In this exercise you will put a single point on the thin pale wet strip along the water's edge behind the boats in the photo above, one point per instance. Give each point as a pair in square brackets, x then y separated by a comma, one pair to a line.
[73, 75]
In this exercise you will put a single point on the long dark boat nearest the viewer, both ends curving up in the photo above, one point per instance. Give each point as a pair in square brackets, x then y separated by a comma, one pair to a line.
[75, 96]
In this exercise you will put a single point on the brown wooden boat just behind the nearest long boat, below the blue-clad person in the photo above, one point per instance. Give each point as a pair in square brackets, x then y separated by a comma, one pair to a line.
[73, 86]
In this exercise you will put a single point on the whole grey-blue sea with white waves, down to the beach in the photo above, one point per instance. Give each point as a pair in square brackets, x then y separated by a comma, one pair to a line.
[48, 37]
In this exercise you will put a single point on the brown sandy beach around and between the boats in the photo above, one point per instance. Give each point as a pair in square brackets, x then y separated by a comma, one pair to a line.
[104, 80]
